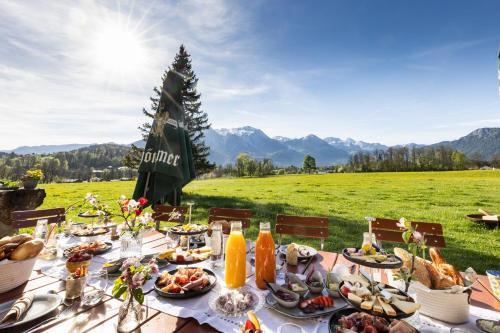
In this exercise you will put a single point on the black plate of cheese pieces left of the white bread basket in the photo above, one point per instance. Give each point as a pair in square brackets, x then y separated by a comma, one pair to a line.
[378, 300]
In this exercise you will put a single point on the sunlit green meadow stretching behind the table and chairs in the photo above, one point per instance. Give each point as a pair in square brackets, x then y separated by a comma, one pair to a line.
[444, 197]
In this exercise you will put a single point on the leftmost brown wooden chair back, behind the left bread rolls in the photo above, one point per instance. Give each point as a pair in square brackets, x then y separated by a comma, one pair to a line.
[29, 218]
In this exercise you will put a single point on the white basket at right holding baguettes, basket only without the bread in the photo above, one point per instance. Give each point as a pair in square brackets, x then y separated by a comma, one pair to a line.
[442, 305]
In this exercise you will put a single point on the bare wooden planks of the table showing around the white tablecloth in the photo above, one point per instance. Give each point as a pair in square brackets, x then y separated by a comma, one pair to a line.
[103, 316]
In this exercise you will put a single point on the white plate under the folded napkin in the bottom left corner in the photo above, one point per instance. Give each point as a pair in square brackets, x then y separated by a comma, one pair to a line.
[42, 305]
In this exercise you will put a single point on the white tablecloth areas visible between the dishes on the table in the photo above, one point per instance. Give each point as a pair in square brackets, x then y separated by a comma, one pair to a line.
[271, 321]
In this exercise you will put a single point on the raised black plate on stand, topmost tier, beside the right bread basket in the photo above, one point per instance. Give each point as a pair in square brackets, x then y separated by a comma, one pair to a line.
[373, 257]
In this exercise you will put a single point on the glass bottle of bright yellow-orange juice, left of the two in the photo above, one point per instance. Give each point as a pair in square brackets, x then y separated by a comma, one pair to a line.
[236, 263]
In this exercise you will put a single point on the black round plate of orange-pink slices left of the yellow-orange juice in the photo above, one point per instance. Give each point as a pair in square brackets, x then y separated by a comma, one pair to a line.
[185, 282]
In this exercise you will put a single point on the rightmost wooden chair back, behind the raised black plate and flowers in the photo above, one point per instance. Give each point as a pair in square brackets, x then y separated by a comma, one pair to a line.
[387, 230]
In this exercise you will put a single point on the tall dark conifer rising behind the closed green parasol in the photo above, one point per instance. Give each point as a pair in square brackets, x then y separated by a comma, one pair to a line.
[196, 120]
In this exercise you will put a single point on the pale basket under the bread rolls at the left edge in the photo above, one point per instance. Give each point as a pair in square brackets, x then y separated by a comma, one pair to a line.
[15, 273]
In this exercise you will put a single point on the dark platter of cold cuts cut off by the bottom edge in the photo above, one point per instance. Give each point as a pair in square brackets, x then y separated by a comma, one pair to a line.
[350, 320]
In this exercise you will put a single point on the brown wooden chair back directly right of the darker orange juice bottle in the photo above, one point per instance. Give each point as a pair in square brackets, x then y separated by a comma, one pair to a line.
[305, 226]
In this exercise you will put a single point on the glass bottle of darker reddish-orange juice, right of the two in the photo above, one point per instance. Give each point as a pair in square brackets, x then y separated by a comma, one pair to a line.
[265, 259]
